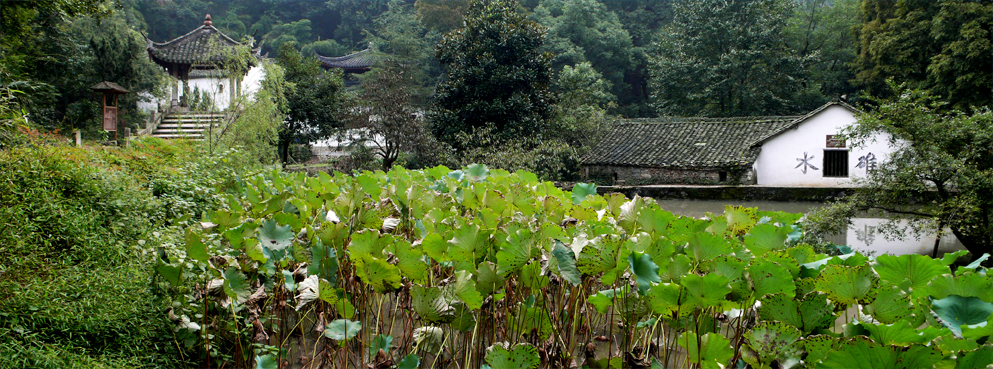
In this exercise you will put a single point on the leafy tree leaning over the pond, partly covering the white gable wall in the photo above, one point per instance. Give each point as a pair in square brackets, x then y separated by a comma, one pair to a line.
[940, 173]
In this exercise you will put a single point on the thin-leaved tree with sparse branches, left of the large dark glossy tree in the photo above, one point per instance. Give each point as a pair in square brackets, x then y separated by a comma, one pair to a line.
[388, 115]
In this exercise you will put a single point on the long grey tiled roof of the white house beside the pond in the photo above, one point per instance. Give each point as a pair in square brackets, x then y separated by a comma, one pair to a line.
[685, 142]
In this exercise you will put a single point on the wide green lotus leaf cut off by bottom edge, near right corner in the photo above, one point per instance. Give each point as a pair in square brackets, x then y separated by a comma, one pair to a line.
[861, 352]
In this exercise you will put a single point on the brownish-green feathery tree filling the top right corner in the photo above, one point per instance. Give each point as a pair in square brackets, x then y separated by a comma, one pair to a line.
[943, 47]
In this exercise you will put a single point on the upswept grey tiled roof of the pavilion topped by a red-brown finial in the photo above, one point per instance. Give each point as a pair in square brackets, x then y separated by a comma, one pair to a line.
[203, 47]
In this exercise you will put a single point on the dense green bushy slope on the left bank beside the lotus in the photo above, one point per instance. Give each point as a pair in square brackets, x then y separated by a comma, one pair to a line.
[74, 281]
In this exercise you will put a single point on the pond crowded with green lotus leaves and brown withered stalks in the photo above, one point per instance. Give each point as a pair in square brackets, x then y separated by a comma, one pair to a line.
[479, 268]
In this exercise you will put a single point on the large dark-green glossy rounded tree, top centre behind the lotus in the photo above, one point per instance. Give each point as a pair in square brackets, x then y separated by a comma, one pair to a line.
[496, 75]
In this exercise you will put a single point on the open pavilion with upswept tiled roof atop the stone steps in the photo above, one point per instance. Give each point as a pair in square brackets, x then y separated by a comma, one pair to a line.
[204, 49]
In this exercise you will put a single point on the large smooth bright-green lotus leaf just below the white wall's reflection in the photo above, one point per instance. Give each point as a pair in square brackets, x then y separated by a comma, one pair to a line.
[910, 272]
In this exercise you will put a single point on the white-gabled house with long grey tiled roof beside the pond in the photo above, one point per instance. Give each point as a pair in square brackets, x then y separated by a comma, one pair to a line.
[781, 151]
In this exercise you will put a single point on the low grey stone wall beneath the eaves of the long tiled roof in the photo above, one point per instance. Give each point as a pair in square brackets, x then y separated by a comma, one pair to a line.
[631, 175]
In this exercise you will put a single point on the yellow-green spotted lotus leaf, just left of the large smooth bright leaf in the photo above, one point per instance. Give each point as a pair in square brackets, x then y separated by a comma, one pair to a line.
[847, 285]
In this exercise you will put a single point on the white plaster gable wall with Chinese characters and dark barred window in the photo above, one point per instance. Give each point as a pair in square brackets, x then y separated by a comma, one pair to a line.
[777, 161]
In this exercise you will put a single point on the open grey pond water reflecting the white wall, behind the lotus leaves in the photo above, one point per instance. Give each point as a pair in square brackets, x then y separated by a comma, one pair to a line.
[861, 235]
